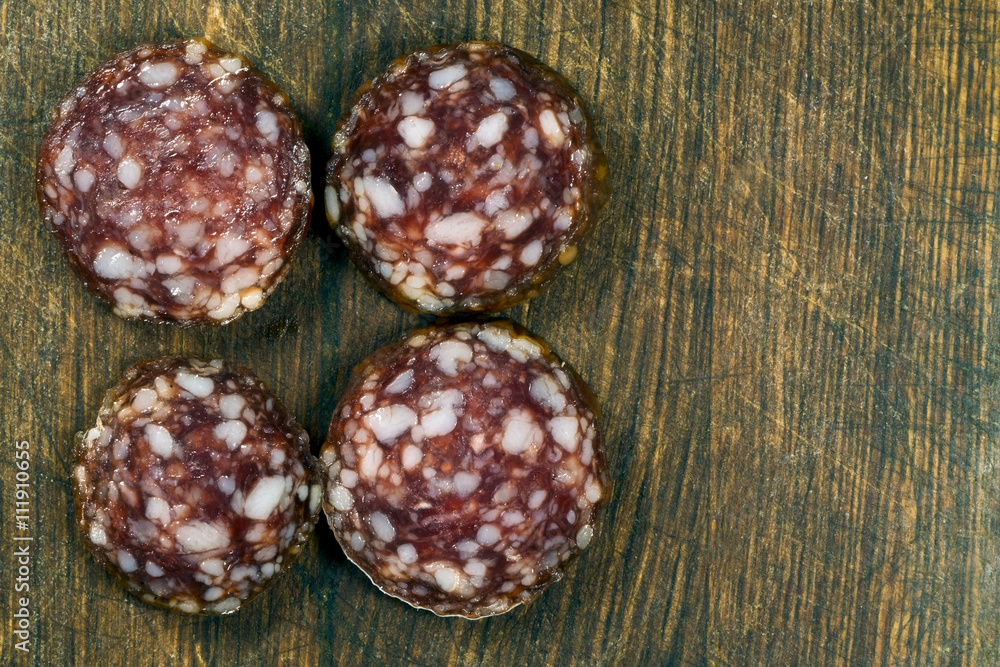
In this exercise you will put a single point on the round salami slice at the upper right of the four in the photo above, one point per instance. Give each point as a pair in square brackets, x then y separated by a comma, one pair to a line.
[463, 178]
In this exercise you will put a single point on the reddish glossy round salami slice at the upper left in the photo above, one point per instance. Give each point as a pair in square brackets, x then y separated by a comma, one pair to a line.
[177, 181]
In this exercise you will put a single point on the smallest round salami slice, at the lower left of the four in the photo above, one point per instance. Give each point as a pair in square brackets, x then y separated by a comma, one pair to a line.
[196, 487]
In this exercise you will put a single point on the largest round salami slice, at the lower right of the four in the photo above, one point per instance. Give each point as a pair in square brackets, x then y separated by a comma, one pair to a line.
[464, 468]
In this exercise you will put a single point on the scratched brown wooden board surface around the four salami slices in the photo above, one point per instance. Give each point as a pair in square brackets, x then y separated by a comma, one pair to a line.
[787, 311]
